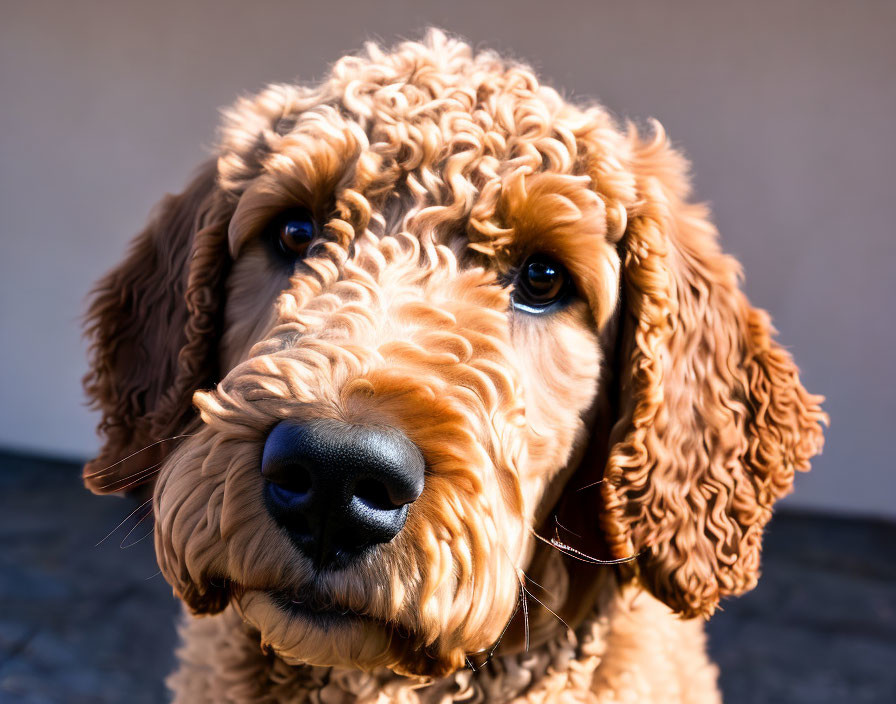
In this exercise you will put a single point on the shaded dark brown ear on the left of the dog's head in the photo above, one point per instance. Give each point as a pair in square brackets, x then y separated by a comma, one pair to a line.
[153, 327]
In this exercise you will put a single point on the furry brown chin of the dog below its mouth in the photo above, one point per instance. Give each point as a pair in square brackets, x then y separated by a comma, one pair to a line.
[302, 633]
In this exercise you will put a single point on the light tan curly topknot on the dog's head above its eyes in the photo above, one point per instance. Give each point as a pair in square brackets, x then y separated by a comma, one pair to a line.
[438, 112]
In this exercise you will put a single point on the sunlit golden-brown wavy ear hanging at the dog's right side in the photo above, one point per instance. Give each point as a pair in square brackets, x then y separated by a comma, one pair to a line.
[712, 418]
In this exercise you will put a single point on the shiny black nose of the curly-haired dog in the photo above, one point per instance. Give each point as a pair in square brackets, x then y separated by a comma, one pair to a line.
[339, 488]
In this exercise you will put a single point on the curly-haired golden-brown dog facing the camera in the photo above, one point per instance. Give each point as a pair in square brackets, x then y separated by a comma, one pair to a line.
[447, 393]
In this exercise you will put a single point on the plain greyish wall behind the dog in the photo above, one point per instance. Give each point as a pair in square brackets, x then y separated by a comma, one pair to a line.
[786, 109]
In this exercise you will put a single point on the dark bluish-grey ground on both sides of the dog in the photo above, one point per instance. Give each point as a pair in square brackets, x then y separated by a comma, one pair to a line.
[81, 624]
